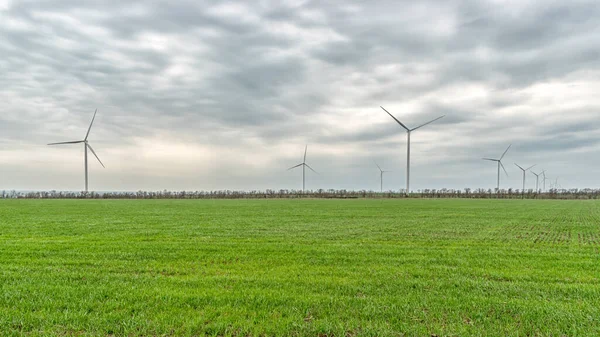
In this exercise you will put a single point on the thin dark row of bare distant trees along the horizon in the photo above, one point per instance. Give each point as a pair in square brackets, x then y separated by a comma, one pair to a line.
[319, 194]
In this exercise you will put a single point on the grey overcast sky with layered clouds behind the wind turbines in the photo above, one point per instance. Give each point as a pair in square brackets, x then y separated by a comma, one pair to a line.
[211, 95]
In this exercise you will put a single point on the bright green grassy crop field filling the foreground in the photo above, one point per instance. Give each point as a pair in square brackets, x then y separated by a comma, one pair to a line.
[299, 268]
